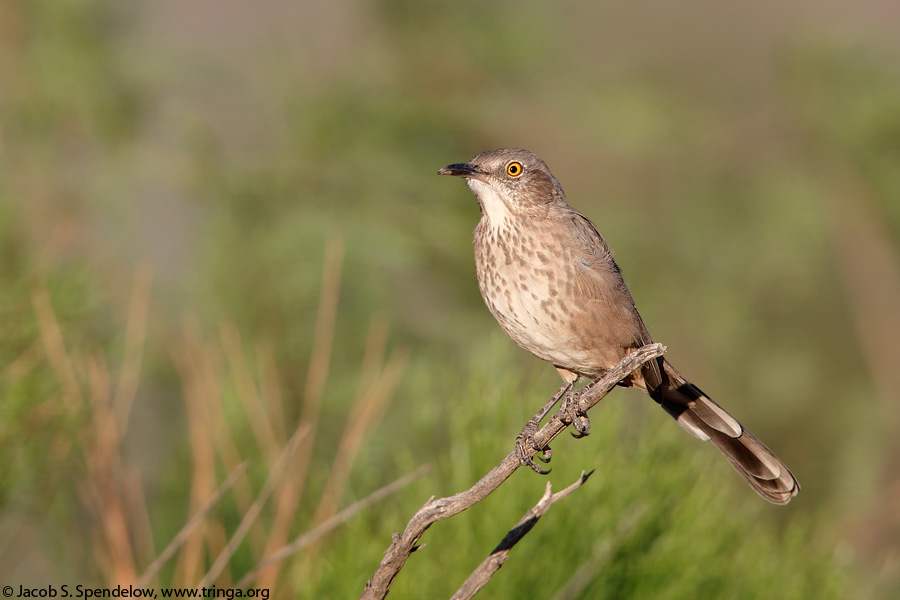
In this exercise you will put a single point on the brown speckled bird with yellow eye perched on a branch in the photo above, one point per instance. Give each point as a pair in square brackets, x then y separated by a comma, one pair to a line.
[550, 280]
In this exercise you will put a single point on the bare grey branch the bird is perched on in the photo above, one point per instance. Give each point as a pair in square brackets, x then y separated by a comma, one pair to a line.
[442, 508]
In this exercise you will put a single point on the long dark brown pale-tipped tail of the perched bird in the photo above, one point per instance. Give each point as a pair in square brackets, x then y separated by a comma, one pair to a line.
[706, 420]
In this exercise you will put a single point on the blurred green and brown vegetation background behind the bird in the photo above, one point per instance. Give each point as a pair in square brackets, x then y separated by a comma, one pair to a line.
[220, 224]
